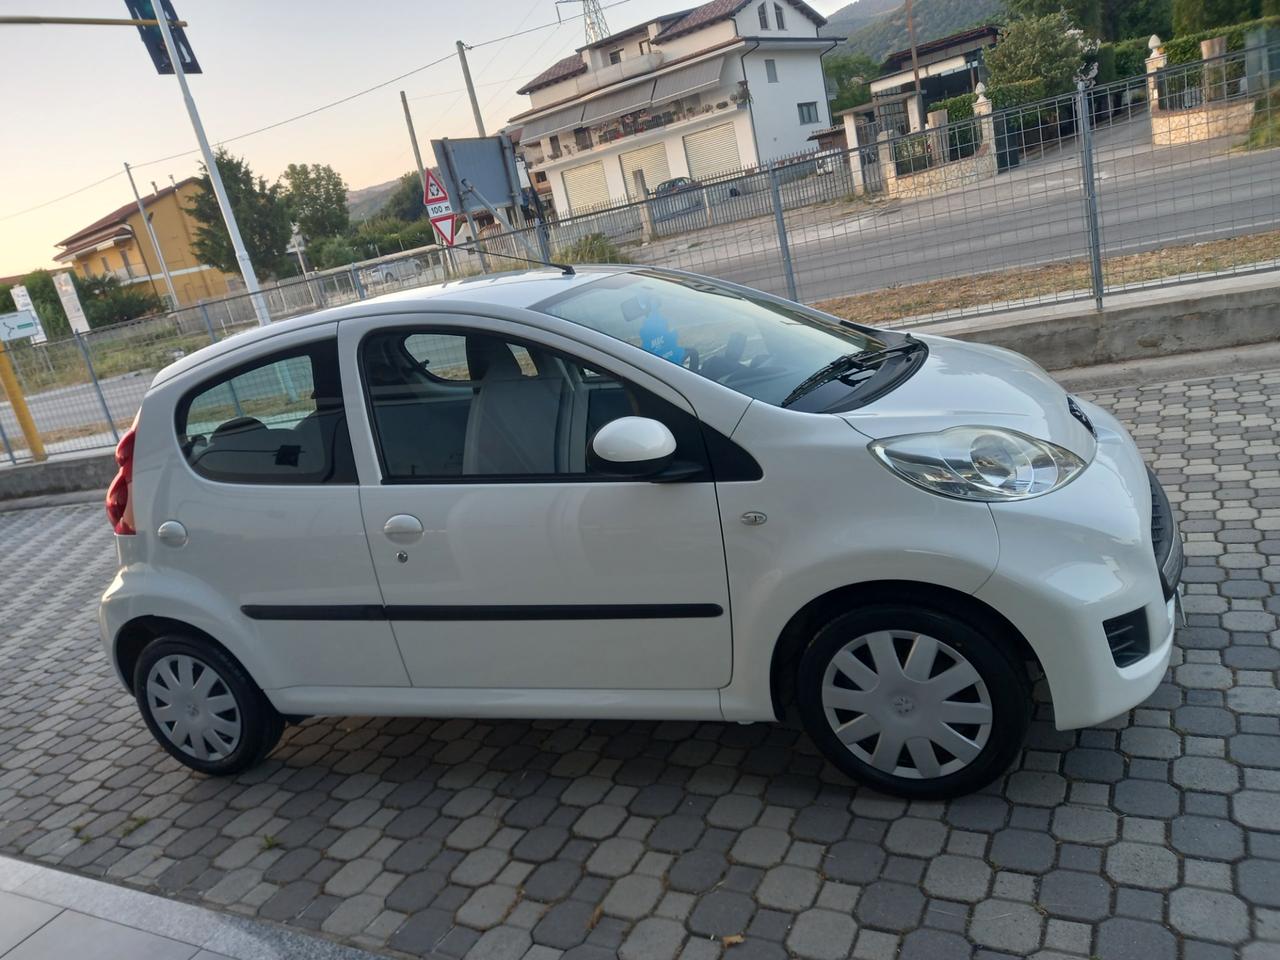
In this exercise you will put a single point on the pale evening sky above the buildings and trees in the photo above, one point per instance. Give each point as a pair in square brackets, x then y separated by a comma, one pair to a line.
[77, 103]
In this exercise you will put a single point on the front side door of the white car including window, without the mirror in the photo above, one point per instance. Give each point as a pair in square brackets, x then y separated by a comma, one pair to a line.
[505, 561]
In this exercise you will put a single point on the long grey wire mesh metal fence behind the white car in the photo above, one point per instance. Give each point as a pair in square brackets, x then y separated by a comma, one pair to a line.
[1150, 181]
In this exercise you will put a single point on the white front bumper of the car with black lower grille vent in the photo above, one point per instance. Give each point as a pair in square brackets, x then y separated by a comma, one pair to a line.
[1090, 575]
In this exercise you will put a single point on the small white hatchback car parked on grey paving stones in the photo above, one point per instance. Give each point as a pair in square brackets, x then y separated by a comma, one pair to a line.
[633, 493]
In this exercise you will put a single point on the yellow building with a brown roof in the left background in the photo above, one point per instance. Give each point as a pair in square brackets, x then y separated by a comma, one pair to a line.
[120, 245]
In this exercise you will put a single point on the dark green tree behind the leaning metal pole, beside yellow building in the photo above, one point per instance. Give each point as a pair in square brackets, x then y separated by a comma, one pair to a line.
[262, 214]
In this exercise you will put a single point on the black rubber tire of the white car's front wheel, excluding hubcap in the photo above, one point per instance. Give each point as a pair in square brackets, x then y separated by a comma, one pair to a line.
[1004, 684]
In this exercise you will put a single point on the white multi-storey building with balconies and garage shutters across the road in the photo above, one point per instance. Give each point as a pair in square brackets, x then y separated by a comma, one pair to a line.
[697, 94]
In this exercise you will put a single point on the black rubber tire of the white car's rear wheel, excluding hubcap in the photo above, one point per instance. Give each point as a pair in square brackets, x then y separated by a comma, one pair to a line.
[260, 726]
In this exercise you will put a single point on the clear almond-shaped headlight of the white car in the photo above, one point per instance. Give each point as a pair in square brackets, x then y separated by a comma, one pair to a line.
[980, 463]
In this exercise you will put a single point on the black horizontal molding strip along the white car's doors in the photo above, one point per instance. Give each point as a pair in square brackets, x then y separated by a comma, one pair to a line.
[484, 612]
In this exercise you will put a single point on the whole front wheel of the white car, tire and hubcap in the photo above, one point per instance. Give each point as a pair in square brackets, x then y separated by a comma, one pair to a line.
[913, 702]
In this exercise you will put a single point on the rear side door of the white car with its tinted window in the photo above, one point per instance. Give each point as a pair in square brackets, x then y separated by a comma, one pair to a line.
[269, 514]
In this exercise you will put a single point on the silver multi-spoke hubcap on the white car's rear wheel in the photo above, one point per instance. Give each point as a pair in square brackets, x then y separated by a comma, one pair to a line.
[194, 707]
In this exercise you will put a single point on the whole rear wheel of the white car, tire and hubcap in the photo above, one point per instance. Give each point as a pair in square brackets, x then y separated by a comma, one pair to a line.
[203, 707]
